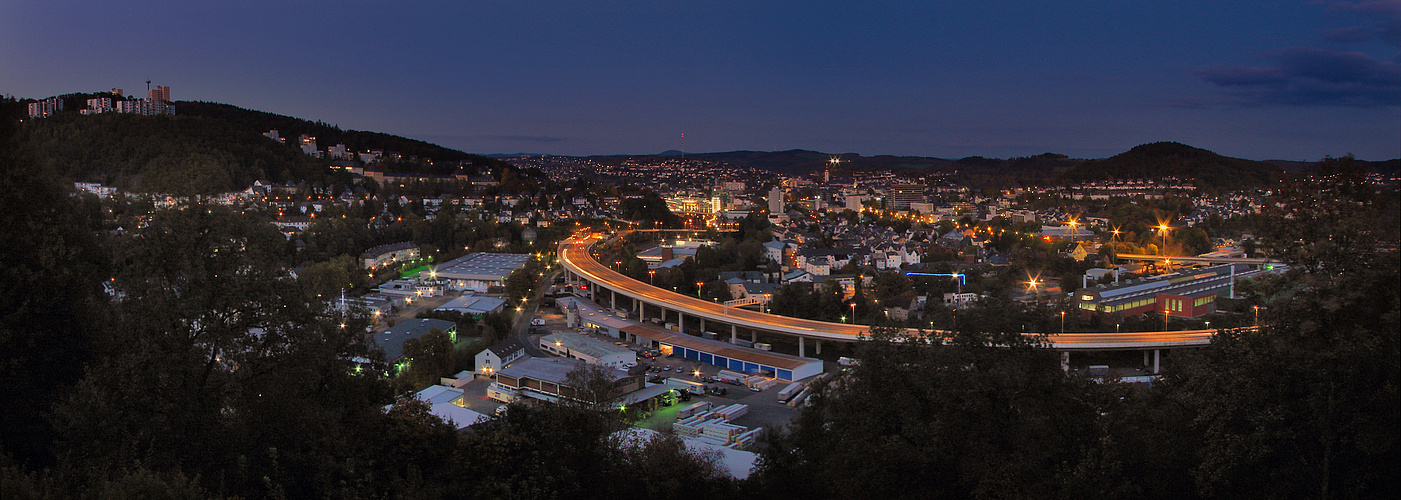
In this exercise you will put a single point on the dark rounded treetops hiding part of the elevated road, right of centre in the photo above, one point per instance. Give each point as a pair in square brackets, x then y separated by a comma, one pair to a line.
[969, 414]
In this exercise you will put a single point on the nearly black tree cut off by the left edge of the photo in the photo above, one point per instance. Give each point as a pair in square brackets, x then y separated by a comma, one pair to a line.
[51, 300]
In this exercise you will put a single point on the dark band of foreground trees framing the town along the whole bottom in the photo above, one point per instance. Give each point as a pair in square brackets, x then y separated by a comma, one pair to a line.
[180, 361]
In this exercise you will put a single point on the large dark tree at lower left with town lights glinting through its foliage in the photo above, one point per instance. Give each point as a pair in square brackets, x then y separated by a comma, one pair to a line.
[229, 372]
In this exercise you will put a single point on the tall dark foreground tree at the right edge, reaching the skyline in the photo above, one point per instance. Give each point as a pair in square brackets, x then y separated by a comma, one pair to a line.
[1309, 404]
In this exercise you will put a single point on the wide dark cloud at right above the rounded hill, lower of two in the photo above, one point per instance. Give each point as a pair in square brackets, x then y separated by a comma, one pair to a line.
[1306, 76]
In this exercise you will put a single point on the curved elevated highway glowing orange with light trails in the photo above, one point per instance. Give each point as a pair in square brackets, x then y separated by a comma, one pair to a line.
[575, 256]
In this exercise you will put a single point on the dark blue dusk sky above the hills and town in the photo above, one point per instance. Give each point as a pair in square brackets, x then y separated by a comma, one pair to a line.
[1295, 81]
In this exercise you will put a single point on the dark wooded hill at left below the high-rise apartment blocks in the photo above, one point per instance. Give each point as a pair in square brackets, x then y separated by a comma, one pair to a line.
[212, 148]
